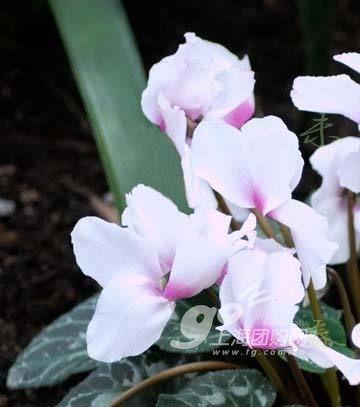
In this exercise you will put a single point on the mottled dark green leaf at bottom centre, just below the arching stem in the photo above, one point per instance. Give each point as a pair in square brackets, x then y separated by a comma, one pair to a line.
[246, 388]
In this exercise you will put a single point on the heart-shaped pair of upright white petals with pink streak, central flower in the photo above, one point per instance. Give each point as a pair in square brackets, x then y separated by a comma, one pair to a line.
[241, 165]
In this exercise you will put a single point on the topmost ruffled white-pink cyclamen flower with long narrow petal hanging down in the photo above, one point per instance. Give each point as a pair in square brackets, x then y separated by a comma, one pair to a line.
[201, 81]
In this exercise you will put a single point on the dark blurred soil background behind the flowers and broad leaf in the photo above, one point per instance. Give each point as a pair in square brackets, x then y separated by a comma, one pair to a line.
[48, 157]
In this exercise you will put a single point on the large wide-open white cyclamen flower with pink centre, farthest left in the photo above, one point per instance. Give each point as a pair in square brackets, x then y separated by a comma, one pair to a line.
[132, 265]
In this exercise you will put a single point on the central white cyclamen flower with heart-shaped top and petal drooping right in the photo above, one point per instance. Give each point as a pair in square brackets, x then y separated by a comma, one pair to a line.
[259, 167]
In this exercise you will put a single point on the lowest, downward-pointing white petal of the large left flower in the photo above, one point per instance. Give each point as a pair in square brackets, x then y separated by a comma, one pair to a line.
[129, 317]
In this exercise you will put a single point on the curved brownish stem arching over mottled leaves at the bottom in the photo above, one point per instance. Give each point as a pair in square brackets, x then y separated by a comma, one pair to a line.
[168, 374]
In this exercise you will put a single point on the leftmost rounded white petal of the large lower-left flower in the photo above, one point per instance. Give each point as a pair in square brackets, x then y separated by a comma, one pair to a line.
[104, 251]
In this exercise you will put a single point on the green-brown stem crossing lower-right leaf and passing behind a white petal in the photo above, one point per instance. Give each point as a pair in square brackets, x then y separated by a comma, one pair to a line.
[329, 378]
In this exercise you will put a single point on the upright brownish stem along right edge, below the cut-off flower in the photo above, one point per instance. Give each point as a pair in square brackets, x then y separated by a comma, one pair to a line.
[353, 269]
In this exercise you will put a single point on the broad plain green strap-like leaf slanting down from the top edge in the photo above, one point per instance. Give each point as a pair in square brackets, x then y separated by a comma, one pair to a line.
[109, 73]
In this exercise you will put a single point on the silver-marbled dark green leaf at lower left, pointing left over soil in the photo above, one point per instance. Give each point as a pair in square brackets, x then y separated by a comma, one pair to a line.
[58, 352]
